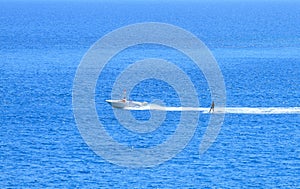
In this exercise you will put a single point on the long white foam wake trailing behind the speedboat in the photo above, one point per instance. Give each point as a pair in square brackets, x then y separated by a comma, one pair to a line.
[227, 110]
